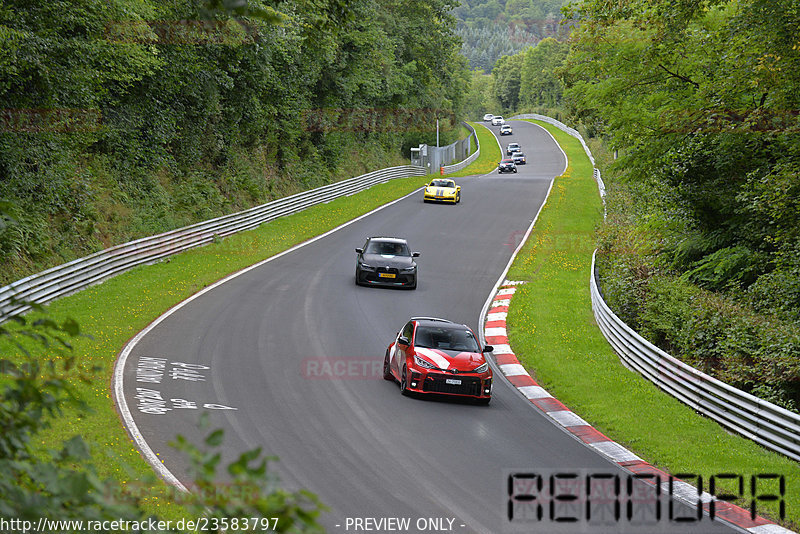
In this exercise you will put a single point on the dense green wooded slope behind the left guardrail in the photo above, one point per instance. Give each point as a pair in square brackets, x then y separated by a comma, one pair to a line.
[130, 117]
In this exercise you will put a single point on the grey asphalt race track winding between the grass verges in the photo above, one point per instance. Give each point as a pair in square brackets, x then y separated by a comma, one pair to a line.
[288, 356]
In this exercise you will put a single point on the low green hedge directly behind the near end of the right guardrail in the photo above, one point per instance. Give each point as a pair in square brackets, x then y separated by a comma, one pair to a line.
[710, 331]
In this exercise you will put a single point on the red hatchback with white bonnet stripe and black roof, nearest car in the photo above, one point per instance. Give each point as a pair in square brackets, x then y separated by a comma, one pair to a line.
[431, 355]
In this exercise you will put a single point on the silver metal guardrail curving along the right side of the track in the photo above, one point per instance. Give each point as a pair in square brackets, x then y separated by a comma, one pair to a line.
[765, 423]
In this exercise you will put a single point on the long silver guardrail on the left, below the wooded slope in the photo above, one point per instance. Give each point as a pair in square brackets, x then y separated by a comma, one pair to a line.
[83, 272]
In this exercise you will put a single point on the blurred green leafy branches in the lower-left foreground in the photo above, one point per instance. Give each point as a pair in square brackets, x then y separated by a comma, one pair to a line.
[64, 485]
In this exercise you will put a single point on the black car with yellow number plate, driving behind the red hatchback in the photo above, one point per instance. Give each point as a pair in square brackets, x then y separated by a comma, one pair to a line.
[386, 261]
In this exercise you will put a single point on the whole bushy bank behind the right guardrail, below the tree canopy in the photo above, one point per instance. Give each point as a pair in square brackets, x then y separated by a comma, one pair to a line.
[692, 299]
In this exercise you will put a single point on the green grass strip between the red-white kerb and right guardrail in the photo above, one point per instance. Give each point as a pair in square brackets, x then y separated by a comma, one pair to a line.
[553, 333]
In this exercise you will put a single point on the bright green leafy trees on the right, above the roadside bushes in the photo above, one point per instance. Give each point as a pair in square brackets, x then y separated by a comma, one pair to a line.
[698, 95]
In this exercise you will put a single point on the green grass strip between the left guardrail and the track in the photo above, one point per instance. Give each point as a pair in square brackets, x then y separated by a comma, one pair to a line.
[117, 309]
